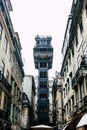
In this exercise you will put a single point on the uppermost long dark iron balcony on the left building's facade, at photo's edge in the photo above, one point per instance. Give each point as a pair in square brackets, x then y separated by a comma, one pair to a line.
[4, 83]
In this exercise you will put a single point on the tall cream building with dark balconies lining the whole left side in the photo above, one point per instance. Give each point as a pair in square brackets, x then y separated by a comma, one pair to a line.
[11, 71]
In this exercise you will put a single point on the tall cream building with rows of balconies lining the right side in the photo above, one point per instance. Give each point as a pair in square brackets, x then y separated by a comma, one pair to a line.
[74, 66]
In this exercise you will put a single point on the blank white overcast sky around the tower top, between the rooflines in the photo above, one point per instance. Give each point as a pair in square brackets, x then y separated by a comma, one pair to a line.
[42, 17]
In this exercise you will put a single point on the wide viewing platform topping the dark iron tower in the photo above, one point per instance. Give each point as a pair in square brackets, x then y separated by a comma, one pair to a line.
[43, 50]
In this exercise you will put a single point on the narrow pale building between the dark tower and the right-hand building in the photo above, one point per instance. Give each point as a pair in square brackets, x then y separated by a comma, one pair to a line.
[57, 103]
